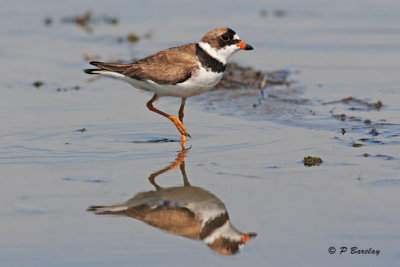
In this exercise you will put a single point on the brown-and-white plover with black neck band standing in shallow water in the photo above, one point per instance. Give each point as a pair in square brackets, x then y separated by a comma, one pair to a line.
[182, 71]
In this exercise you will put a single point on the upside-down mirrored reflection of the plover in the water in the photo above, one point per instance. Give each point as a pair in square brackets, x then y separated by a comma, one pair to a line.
[186, 210]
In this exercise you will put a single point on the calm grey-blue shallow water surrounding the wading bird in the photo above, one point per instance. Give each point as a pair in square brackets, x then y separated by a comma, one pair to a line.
[249, 157]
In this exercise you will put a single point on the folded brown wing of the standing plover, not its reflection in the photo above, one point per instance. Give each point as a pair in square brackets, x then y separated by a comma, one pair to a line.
[171, 66]
